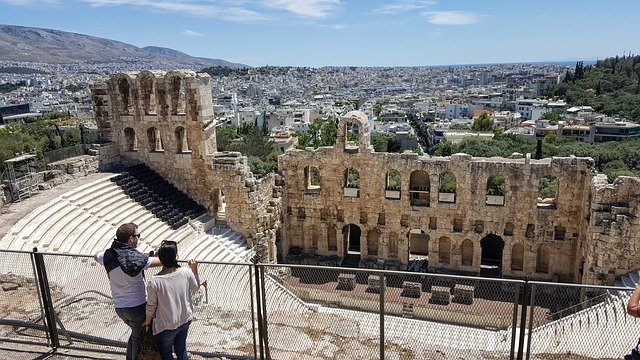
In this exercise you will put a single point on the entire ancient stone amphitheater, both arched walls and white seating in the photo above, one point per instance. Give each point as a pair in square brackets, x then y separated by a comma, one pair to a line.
[160, 168]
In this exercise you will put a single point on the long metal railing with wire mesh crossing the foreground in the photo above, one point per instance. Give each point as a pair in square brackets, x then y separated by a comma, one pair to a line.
[275, 311]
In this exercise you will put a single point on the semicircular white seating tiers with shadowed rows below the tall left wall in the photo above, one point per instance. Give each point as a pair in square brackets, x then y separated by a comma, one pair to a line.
[84, 221]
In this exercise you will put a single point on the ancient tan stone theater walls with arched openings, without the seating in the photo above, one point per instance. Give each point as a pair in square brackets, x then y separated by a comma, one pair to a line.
[348, 203]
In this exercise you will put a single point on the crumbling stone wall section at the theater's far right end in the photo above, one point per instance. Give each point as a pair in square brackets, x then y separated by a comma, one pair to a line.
[612, 246]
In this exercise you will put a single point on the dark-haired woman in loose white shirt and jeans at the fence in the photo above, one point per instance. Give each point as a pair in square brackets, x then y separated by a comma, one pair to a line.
[169, 302]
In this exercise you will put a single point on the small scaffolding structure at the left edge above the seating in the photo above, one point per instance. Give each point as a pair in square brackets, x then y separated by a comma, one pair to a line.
[20, 177]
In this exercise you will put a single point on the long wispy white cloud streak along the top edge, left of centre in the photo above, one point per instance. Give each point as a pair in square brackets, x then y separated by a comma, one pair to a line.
[237, 14]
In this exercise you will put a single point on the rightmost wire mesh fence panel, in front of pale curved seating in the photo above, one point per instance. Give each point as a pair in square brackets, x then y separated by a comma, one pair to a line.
[580, 322]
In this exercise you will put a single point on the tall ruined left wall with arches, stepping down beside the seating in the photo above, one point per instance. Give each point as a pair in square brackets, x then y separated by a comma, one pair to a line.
[165, 120]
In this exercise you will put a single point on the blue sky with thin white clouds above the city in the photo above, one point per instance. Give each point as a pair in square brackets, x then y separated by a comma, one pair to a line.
[351, 32]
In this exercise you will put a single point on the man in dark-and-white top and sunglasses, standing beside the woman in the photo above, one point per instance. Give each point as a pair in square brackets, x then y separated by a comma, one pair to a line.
[125, 268]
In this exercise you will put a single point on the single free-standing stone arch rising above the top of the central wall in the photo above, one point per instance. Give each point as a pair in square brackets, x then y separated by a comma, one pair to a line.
[353, 132]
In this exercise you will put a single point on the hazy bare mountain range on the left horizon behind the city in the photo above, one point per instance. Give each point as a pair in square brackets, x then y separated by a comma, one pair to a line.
[20, 43]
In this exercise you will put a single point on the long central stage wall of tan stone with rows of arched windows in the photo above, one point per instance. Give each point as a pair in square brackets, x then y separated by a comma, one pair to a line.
[314, 218]
